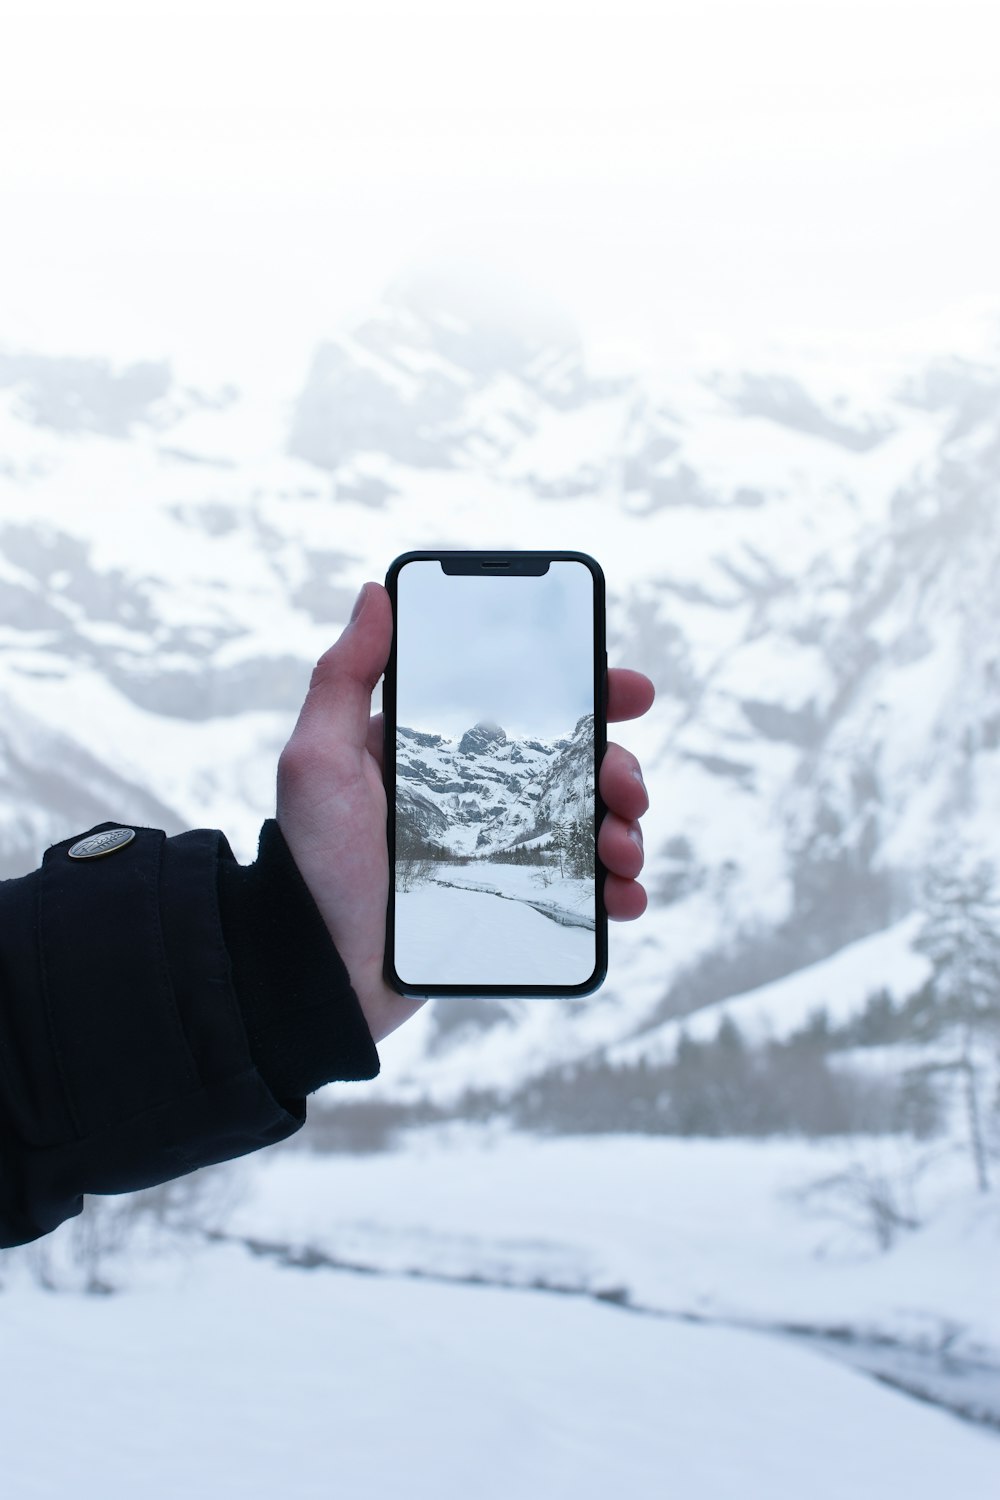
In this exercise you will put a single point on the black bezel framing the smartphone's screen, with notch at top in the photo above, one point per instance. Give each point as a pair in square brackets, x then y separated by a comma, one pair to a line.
[519, 562]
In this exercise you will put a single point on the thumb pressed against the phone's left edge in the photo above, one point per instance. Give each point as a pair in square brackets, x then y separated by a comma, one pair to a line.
[340, 695]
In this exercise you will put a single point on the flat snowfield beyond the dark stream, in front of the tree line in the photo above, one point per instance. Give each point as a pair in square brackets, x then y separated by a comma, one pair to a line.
[711, 1228]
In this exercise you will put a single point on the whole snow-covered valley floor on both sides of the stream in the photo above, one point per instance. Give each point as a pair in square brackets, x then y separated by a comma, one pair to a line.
[457, 1369]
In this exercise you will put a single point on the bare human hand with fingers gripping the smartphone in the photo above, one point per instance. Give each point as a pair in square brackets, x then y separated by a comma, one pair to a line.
[332, 805]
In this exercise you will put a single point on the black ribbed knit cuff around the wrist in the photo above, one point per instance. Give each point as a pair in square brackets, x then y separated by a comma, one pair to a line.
[304, 1022]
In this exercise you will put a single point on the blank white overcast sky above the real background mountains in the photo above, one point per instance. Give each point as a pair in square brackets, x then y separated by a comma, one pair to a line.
[233, 178]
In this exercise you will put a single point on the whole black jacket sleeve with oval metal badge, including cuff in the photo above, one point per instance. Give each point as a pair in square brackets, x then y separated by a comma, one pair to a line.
[161, 1009]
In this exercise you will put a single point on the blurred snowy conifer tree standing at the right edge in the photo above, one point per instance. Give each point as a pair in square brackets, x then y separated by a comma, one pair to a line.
[962, 940]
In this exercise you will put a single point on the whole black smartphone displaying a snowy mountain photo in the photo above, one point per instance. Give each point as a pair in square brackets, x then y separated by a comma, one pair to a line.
[496, 728]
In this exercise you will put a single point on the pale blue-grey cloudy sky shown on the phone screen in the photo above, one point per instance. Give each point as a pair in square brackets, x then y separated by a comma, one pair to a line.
[516, 652]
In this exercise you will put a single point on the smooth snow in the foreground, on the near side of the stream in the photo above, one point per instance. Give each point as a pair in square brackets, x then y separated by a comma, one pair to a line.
[233, 1378]
